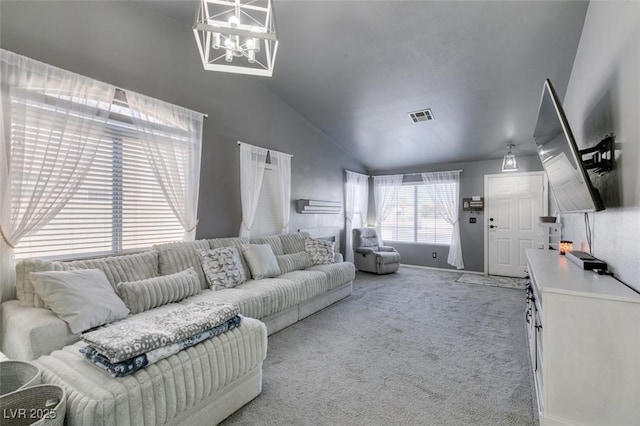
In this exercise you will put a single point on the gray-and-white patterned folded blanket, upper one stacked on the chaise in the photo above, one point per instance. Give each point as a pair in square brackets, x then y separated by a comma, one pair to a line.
[125, 340]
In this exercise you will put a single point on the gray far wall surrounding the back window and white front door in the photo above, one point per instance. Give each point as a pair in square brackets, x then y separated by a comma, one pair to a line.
[471, 235]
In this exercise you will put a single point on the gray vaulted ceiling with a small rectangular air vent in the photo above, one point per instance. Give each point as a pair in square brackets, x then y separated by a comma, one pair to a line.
[355, 69]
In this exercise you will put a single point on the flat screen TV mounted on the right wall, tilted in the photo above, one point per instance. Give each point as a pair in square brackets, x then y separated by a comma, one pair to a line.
[561, 159]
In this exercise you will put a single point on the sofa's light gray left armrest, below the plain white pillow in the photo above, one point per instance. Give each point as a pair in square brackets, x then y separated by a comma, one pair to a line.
[28, 333]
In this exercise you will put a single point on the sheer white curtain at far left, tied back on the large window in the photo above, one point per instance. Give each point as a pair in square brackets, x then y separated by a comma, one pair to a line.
[61, 116]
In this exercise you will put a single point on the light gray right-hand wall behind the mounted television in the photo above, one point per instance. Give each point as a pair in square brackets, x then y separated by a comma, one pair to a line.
[603, 96]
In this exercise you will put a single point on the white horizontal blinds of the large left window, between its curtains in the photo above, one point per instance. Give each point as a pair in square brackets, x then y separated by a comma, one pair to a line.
[119, 207]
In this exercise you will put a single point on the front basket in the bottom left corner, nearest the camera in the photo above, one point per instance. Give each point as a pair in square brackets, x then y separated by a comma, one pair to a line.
[42, 405]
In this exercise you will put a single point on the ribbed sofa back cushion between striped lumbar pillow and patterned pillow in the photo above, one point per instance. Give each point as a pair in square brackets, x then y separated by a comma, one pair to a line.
[179, 256]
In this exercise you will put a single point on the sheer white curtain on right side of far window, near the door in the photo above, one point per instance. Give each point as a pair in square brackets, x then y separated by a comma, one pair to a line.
[446, 201]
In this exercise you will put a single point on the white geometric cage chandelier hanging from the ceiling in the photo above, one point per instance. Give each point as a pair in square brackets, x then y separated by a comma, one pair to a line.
[237, 36]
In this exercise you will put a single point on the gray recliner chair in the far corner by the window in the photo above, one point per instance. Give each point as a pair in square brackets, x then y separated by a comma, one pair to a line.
[369, 256]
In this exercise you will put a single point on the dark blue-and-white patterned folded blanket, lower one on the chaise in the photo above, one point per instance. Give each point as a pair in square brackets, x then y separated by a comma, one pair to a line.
[130, 366]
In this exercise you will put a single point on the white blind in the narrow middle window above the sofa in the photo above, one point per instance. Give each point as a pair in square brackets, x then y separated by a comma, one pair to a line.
[268, 219]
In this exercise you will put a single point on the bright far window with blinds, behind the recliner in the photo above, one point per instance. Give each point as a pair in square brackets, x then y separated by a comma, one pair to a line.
[414, 216]
